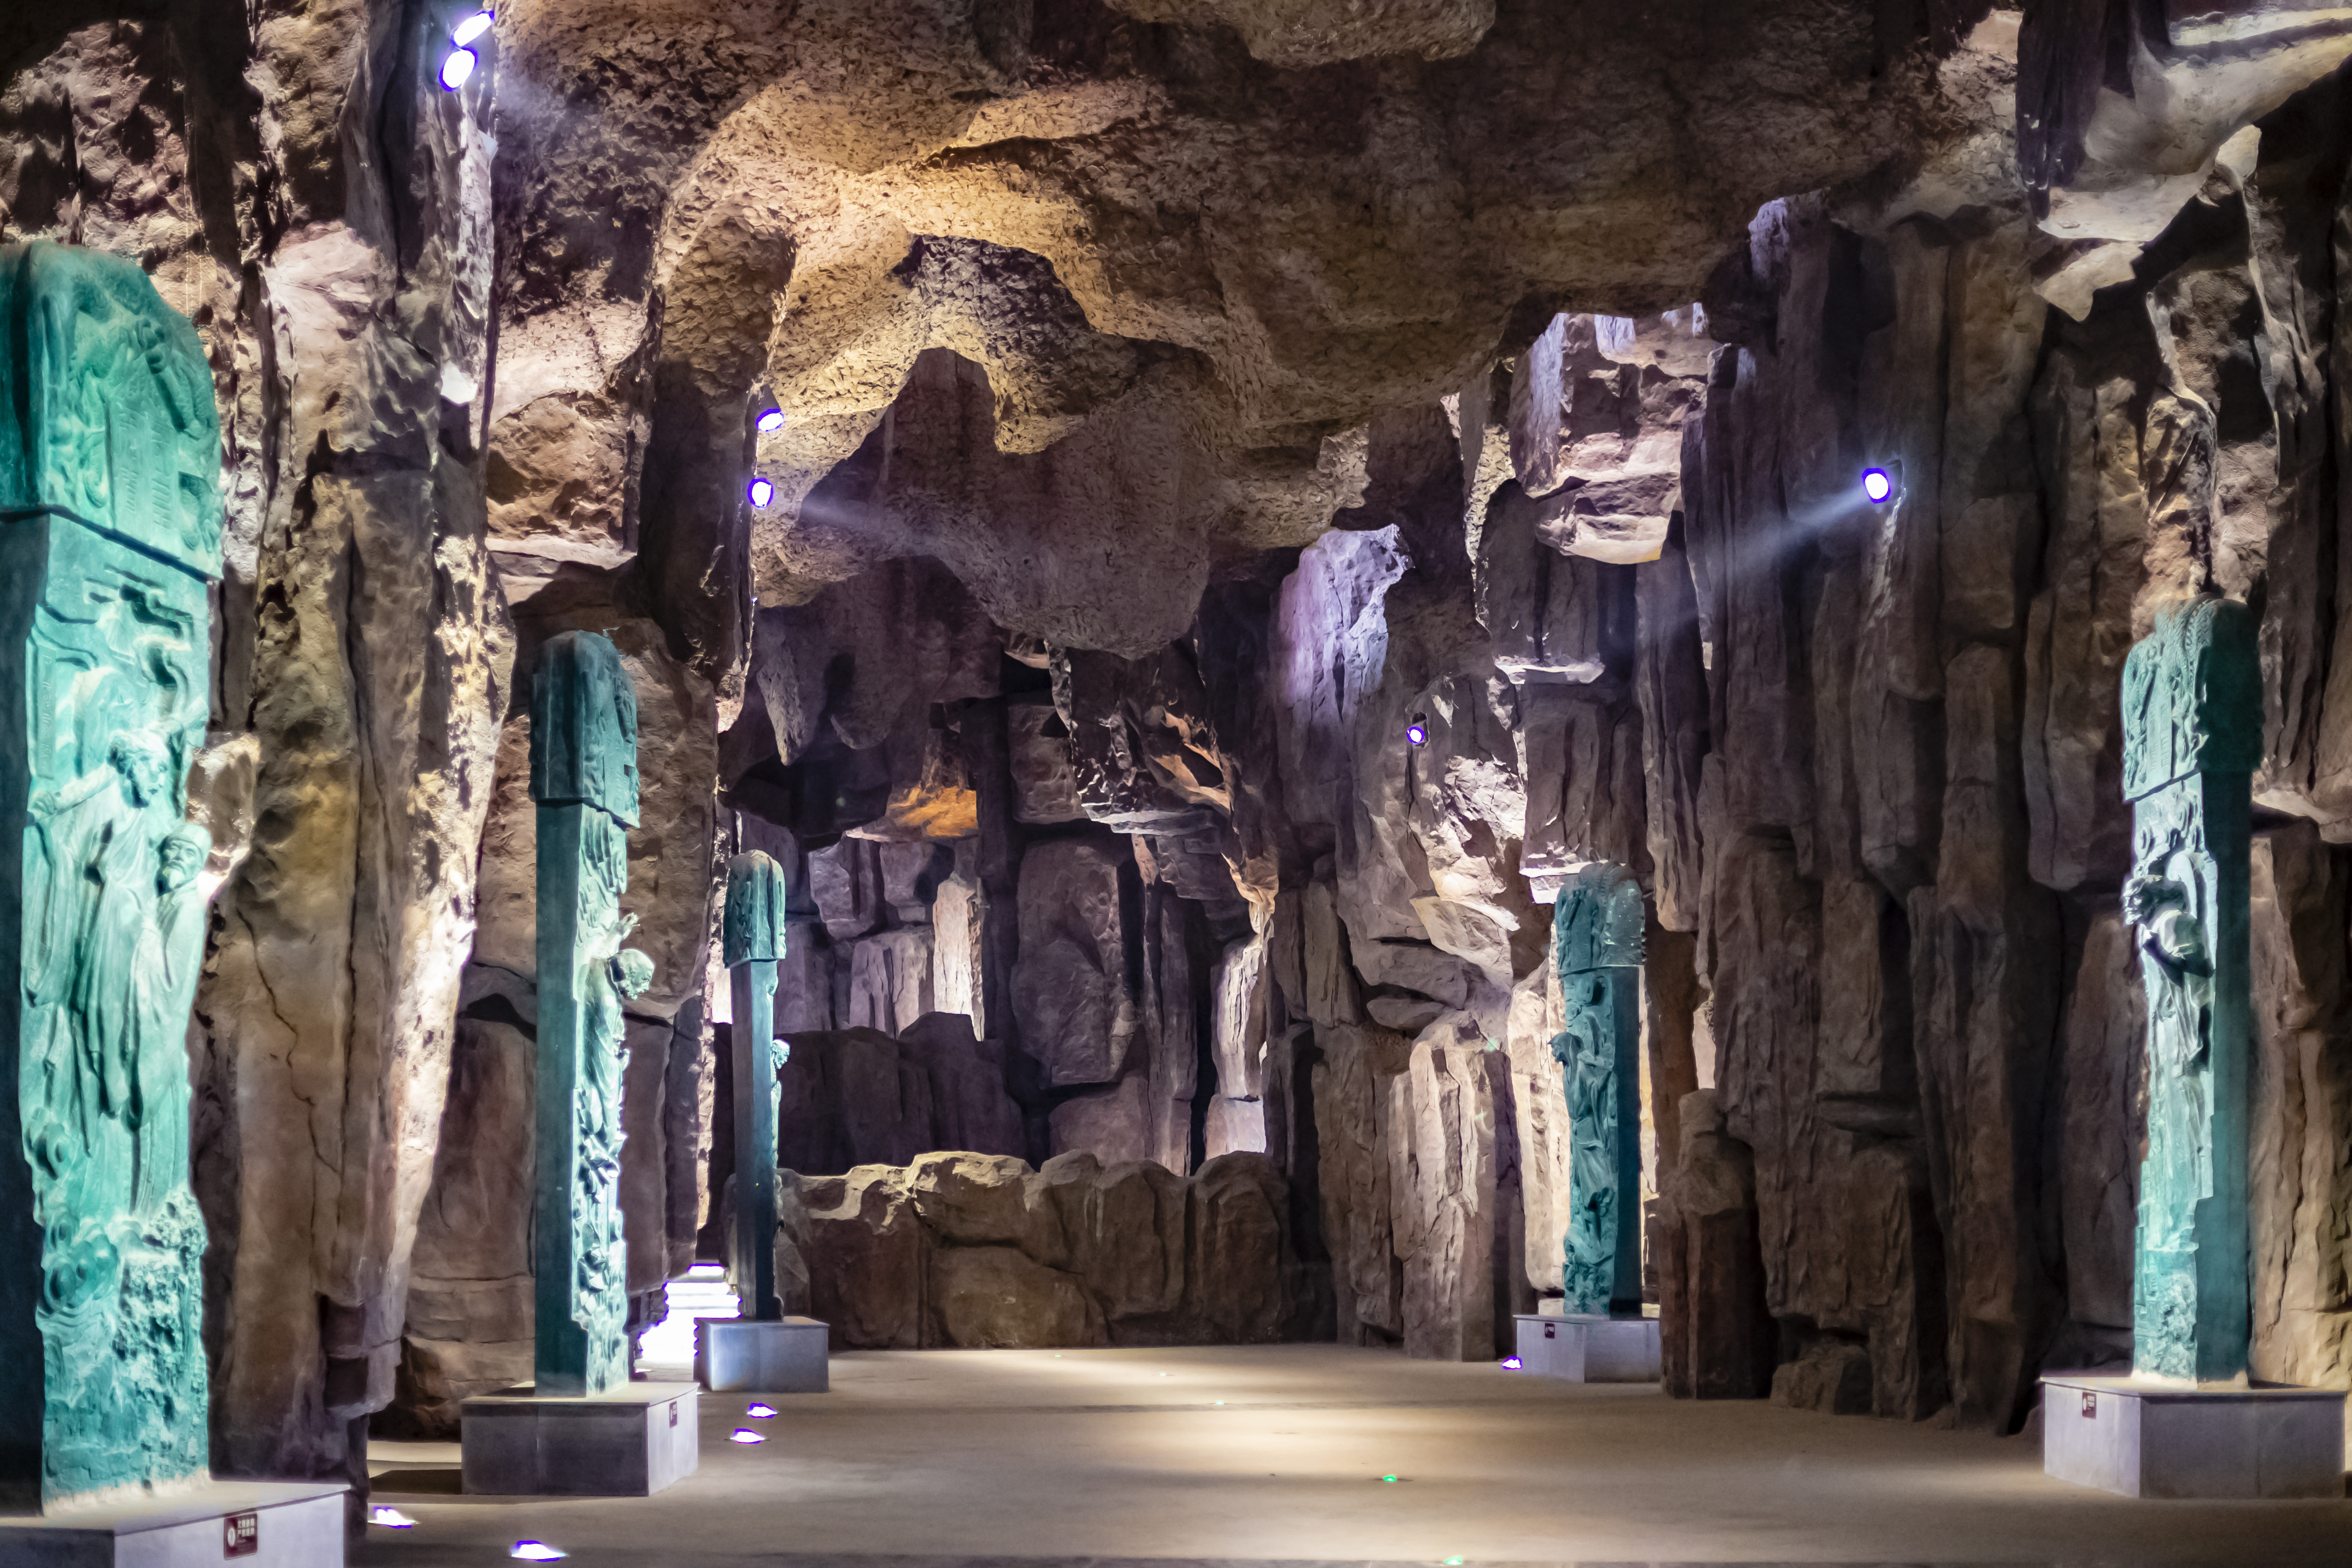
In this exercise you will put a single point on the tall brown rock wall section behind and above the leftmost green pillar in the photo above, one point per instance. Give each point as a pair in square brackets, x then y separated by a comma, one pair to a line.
[319, 206]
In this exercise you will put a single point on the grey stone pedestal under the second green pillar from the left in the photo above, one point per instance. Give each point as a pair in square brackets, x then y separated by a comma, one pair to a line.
[629, 1442]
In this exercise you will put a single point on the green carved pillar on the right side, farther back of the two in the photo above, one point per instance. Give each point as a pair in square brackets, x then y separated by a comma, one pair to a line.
[1598, 949]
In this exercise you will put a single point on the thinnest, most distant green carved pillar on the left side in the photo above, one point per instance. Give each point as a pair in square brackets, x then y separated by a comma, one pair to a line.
[751, 937]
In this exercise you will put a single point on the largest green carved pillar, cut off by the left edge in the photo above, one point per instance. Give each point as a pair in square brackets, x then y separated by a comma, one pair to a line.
[109, 535]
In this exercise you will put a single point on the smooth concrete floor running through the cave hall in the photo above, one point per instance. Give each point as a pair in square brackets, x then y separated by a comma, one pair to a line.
[1285, 1454]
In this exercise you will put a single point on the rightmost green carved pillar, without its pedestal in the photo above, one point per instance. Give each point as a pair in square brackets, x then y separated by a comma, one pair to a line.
[2193, 737]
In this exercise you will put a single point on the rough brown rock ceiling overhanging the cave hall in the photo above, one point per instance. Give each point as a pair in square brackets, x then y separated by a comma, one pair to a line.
[1165, 260]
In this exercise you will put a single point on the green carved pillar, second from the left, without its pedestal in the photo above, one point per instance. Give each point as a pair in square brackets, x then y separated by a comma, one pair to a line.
[584, 777]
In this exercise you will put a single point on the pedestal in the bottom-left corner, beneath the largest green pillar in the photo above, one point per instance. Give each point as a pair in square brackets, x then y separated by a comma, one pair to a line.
[269, 1525]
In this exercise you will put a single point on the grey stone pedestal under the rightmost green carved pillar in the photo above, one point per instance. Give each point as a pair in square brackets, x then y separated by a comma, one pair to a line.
[2146, 1440]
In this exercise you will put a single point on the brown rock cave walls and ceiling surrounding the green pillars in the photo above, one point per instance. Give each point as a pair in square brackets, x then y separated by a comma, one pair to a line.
[1168, 410]
